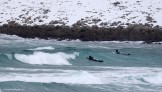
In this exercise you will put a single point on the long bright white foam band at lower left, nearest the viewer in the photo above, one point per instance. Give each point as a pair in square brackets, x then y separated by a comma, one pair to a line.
[70, 77]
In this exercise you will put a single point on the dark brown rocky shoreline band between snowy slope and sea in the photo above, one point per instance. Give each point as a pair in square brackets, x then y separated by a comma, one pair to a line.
[134, 32]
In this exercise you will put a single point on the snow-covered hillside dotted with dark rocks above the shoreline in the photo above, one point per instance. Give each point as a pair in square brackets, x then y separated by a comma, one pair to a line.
[90, 12]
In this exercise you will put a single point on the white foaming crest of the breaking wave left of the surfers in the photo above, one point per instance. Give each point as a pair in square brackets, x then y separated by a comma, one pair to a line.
[59, 58]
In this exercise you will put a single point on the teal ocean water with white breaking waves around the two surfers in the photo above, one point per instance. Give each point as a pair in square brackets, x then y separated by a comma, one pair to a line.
[35, 65]
